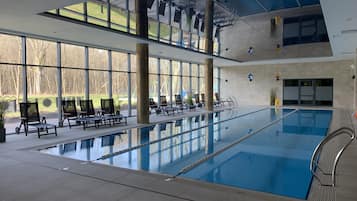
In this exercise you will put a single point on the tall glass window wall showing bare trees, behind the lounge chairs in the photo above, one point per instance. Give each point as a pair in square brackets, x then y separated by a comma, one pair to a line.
[169, 78]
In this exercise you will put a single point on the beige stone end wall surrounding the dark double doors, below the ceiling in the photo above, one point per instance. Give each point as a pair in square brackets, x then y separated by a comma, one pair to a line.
[235, 82]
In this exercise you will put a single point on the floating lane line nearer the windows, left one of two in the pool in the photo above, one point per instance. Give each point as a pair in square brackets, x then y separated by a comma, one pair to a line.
[166, 138]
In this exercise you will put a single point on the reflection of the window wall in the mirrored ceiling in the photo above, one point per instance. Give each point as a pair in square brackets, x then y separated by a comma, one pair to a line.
[122, 18]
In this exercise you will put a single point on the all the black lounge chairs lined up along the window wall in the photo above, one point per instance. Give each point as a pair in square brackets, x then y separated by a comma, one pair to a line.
[87, 116]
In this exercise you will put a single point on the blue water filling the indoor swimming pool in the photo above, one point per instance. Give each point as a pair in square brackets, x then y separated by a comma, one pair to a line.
[274, 160]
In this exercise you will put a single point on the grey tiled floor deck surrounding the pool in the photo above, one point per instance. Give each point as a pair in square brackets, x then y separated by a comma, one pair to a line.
[26, 174]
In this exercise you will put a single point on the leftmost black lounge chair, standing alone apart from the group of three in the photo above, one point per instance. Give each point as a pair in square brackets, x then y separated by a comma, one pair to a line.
[30, 116]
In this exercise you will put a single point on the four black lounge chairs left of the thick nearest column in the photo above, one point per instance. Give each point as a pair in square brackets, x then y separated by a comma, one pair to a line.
[30, 116]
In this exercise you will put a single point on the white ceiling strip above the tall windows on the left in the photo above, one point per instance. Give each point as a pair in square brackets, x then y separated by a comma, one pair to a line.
[25, 20]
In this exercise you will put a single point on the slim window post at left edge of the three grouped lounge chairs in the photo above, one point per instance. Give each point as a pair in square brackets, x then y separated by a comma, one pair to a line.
[59, 85]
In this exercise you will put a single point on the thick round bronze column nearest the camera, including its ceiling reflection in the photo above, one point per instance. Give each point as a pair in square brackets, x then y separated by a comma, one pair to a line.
[142, 62]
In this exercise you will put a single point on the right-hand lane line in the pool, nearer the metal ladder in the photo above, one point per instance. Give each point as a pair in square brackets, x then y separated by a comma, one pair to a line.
[204, 159]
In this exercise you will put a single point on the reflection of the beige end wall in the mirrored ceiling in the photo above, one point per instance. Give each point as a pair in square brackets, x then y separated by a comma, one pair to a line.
[255, 31]
